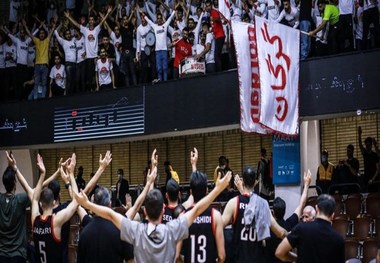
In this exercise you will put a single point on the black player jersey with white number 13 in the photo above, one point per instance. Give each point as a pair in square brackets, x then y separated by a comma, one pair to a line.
[200, 246]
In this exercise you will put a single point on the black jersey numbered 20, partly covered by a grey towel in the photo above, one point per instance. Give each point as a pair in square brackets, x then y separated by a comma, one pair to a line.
[245, 247]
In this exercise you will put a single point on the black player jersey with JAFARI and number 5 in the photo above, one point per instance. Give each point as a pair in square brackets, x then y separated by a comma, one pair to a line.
[48, 246]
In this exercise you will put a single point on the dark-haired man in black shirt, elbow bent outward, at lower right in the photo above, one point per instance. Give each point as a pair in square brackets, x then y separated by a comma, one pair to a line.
[315, 241]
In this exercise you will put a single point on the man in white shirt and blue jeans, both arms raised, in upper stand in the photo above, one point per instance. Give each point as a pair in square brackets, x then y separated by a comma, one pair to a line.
[160, 30]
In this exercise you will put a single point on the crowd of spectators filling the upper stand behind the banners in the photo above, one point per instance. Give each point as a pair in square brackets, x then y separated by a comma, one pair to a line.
[48, 49]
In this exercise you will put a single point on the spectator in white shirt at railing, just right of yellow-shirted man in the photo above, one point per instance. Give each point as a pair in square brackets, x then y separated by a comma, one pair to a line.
[57, 86]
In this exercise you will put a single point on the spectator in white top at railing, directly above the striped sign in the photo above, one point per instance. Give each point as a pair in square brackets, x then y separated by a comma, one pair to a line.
[105, 79]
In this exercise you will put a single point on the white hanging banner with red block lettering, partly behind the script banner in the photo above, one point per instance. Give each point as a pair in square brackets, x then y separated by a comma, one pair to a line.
[249, 78]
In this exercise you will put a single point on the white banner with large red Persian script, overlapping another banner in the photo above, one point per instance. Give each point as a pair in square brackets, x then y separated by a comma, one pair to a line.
[278, 56]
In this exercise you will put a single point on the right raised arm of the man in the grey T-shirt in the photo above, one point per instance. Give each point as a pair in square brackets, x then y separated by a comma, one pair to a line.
[202, 205]
